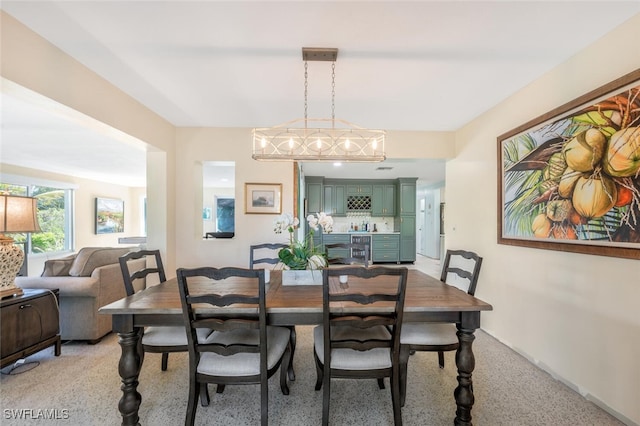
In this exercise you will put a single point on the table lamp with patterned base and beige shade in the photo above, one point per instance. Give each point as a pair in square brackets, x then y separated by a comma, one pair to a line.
[17, 214]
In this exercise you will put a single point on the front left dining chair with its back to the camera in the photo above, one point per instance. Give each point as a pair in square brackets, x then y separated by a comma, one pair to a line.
[241, 349]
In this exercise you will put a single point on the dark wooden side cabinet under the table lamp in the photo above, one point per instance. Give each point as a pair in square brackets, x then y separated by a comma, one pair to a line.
[29, 324]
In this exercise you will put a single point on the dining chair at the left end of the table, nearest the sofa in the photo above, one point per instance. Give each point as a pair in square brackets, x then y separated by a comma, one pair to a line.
[136, 276]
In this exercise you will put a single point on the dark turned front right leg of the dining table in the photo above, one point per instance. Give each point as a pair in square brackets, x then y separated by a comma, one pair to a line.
[465, 362]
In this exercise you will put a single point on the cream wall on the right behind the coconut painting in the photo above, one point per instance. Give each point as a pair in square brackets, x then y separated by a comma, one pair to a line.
[575, 315]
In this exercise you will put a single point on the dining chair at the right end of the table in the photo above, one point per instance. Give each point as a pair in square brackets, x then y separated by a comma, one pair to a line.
[461, 269]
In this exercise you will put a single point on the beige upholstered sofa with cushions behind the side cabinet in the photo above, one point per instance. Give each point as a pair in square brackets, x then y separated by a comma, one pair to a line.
[86, 281]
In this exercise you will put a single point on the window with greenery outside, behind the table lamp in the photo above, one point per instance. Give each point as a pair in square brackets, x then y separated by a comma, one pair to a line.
[55, 215]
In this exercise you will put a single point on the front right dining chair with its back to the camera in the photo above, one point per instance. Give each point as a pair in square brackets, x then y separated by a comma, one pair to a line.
[351, 345]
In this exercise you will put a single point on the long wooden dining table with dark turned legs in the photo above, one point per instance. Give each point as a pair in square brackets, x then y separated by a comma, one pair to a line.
[427, 300]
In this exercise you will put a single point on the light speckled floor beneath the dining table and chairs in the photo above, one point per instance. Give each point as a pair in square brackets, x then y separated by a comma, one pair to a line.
[84, 381]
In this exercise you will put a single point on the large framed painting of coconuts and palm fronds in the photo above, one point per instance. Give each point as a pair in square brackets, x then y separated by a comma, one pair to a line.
[570, 179]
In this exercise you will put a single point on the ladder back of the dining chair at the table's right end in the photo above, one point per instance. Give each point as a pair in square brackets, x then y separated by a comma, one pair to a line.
[464, 267]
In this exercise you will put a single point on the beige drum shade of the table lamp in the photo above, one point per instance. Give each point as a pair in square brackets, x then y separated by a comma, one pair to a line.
[18, 214]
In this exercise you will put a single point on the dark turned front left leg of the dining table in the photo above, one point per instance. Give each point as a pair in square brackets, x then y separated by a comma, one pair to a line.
[129, 369]
